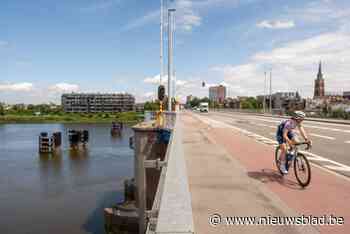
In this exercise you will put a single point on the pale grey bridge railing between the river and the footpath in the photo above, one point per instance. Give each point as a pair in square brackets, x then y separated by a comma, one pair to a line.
[172, 209]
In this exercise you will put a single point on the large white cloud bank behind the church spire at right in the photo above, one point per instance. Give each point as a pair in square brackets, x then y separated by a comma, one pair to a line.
[294, 66]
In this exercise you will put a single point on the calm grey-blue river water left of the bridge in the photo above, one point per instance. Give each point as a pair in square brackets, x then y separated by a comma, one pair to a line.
[65, 193]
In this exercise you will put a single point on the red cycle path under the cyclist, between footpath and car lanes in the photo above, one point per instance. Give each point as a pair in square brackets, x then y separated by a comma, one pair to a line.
[327, 194]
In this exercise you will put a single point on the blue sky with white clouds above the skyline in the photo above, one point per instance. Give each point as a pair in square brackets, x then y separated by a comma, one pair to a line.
[51, 47]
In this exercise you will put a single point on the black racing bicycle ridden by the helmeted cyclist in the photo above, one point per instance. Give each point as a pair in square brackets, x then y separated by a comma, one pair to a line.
[300, 163]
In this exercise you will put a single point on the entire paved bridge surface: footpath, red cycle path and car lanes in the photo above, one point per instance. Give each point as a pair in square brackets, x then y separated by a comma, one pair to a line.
[249, 141]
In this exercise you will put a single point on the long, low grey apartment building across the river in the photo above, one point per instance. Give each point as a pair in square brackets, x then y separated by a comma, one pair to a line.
[94, 103]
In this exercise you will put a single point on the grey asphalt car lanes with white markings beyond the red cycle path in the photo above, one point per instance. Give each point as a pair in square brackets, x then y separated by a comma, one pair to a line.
[331, 142]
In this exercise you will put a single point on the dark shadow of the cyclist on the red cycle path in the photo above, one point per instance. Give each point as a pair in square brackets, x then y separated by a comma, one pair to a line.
[273, 176]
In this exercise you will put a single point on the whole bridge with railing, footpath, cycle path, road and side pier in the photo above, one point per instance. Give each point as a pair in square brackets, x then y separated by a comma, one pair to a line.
[218, 176]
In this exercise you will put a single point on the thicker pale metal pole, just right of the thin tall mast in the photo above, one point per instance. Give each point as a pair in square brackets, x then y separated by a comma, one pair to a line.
[170, 54]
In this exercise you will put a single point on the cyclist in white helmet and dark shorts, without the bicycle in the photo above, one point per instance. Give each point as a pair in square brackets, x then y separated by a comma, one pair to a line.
[286, 137]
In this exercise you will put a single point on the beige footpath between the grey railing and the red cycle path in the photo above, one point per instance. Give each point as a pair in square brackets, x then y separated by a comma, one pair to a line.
[220, 185]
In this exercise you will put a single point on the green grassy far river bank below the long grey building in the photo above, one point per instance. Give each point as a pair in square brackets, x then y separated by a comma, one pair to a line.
[125, 117]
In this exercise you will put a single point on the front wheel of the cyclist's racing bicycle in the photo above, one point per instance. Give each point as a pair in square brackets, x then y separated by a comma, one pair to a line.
[302, 170]
